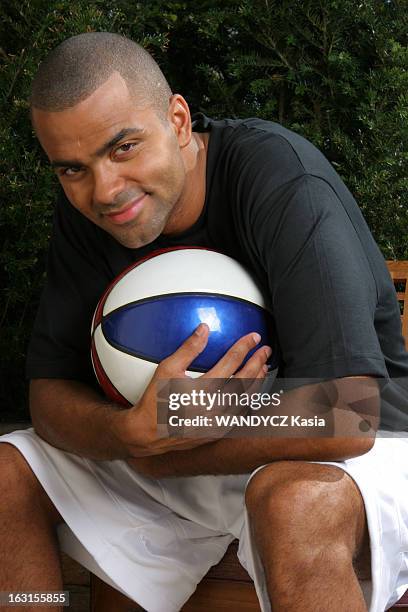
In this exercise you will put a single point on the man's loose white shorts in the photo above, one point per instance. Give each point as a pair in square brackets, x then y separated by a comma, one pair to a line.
[156, 539]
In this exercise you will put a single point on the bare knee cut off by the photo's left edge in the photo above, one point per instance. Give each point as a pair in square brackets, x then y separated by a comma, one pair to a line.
[20, 490]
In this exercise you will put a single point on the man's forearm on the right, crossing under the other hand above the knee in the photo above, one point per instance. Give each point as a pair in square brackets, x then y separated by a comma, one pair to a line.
[242, 455]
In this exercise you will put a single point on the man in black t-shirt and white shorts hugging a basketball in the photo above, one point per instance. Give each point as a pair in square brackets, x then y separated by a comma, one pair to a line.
[157, 513]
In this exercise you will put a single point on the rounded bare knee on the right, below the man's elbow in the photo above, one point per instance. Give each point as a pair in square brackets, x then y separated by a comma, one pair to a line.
[296, 501]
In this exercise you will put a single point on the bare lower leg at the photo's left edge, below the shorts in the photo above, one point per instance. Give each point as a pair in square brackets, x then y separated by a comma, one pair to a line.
[30, 558]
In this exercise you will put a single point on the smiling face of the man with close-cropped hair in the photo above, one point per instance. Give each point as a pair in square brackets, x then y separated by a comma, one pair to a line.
[119, 164]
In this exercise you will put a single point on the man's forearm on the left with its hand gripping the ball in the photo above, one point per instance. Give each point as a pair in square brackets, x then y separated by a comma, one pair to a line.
[73, 417]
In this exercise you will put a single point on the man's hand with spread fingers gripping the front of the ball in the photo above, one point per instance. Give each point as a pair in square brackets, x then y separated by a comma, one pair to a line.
[138, 428]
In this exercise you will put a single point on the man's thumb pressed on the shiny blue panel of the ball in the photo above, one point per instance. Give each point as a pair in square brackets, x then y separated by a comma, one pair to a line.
[178, 362]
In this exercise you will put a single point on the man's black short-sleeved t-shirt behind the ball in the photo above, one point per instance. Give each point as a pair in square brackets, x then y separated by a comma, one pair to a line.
[274, 203]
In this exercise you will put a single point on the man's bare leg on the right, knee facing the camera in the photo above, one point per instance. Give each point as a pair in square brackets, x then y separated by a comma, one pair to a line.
[309, 525]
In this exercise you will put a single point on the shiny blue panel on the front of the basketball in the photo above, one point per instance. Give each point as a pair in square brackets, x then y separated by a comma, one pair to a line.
[154, 329]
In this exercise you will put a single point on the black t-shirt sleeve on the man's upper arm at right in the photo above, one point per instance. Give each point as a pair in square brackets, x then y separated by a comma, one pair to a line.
[323, 293]
